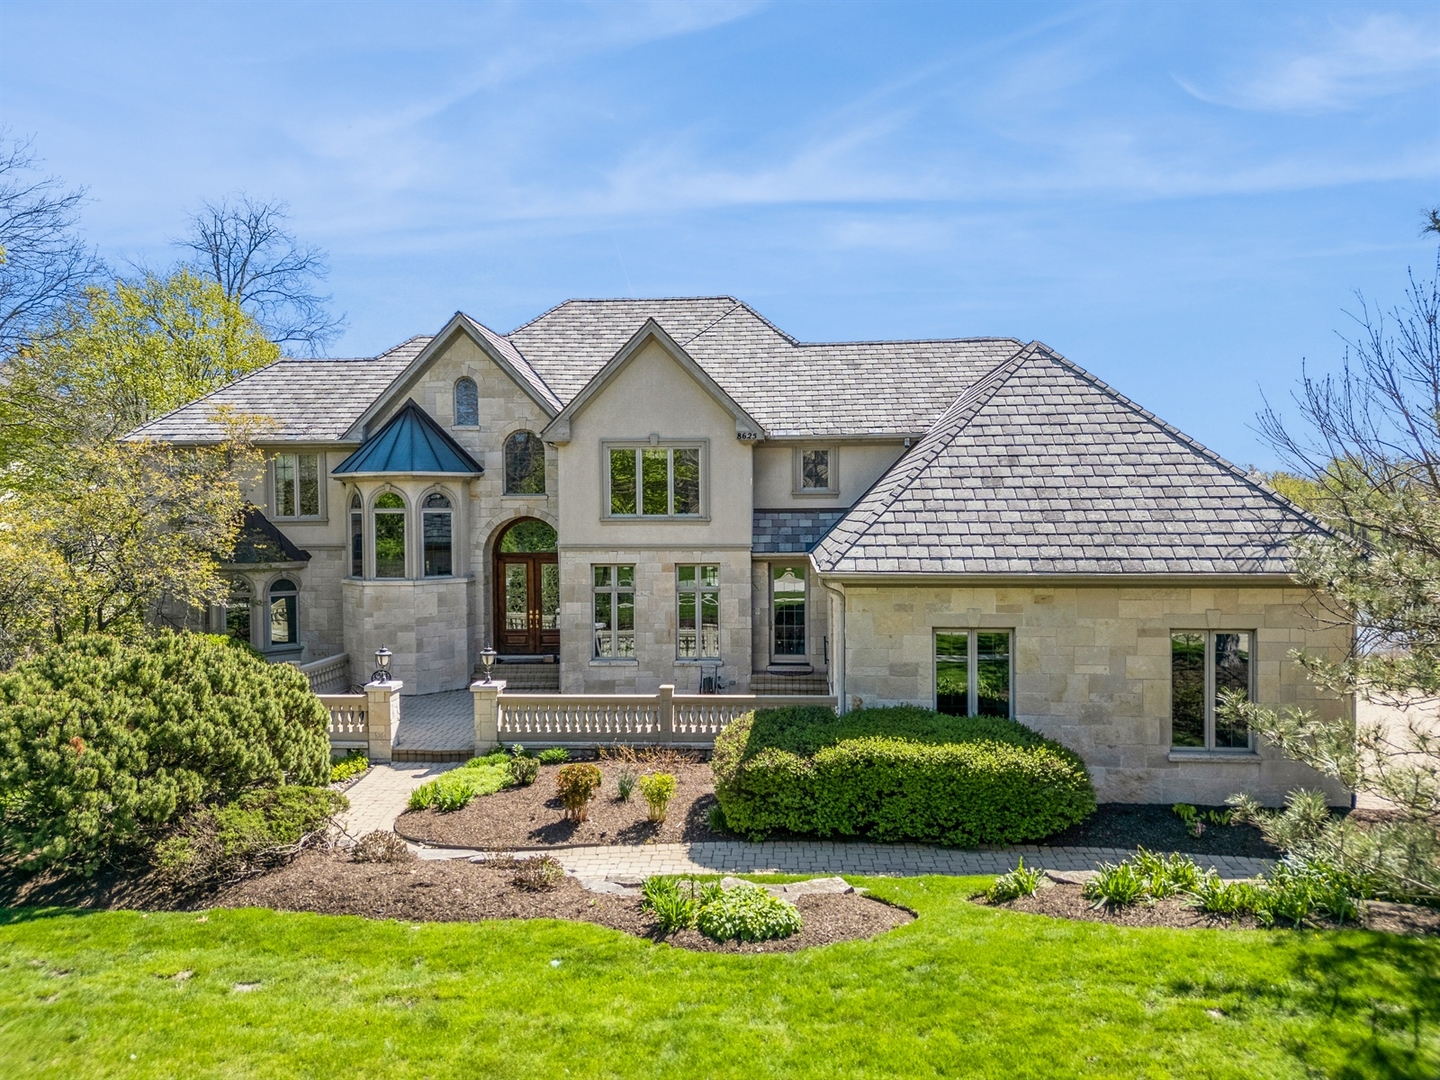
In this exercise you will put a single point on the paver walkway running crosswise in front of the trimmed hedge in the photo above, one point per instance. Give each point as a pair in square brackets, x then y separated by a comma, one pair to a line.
[830, 858]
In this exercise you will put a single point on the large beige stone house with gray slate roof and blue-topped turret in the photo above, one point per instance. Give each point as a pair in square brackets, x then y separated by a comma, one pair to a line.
[624, 495]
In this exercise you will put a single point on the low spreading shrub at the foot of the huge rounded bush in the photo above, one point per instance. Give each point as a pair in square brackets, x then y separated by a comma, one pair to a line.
[256, 832]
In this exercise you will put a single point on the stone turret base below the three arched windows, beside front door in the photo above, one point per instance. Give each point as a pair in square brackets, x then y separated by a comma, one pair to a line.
[424, 623]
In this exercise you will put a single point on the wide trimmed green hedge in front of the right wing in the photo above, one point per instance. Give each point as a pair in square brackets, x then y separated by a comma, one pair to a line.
[896, 774]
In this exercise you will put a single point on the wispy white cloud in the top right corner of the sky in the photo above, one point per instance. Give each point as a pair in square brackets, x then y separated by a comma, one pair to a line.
[1383, 54]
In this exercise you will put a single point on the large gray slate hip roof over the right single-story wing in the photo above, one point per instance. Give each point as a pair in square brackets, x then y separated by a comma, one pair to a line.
[1043, 469]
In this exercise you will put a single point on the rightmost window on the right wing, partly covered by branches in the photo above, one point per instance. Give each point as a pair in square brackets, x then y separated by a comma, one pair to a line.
[1205, 667]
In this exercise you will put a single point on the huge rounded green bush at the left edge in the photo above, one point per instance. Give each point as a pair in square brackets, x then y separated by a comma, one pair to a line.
[104, 742]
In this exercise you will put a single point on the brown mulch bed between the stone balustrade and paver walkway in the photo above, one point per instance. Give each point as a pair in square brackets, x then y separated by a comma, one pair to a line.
[534, 817]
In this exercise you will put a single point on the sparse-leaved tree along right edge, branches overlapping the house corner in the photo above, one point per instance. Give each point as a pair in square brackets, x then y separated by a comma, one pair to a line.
[1364, 456]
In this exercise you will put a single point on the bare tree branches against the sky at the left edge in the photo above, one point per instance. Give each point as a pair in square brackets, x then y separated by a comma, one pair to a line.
[44, 264]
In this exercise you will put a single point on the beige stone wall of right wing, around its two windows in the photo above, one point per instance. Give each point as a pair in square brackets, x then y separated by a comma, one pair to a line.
[1094, 672]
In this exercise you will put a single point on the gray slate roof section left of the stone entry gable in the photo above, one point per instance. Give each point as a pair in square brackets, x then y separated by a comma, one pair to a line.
[310, 401]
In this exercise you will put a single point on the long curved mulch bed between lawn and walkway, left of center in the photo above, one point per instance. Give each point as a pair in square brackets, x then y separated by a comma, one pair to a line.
[459, 891]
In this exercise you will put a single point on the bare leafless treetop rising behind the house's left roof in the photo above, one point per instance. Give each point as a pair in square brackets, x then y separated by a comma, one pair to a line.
[246, 247]
